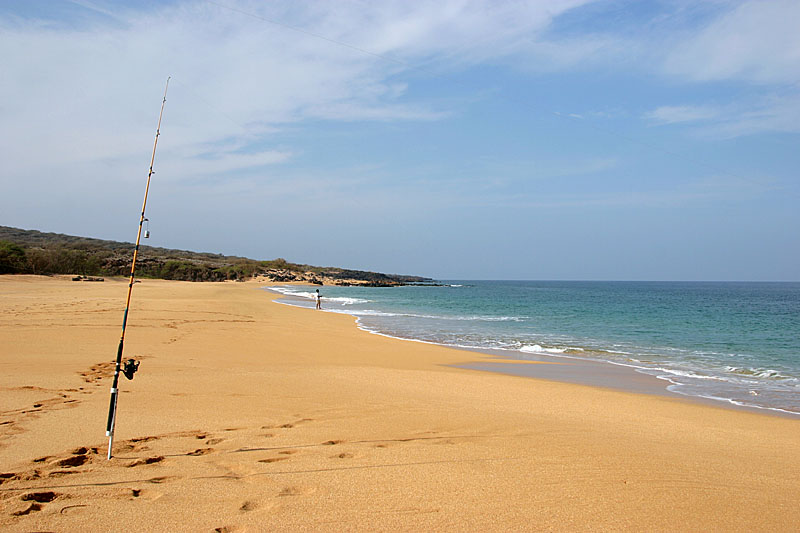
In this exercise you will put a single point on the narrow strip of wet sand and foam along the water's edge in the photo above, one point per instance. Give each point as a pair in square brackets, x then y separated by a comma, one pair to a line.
[561, 368]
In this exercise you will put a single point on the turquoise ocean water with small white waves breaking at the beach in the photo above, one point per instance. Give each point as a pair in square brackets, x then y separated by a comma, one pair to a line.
[732, 342]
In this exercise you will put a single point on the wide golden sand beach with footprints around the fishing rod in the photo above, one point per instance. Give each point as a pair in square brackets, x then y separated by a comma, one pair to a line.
[247, 415]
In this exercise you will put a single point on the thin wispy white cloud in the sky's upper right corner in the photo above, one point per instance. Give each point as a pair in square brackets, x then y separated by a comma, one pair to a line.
[755, 43]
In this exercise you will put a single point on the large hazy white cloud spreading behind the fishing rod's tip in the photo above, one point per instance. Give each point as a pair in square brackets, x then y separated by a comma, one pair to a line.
[89, 90]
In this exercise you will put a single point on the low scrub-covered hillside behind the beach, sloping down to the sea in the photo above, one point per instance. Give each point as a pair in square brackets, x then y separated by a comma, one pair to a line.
[35, 252]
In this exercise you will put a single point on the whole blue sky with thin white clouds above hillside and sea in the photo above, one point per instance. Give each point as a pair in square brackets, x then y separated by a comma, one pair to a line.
[455, 139]
